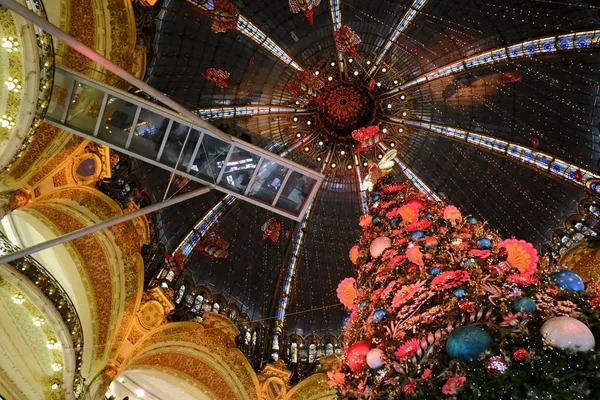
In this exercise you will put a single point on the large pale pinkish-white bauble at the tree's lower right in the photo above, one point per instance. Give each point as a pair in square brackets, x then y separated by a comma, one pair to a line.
[567, 333]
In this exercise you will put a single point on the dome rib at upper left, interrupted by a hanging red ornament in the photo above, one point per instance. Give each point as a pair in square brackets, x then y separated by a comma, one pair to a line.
[254, 33]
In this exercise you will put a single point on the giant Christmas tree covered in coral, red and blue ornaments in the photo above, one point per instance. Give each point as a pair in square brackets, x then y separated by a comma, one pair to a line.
[441, 307]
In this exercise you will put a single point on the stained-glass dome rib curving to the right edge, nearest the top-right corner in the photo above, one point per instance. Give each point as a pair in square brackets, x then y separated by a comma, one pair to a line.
[547, 45]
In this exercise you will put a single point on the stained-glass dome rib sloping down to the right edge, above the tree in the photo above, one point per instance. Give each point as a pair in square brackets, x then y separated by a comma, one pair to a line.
[536, 160]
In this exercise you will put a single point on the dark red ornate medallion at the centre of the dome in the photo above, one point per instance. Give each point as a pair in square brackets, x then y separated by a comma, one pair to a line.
[346, 108]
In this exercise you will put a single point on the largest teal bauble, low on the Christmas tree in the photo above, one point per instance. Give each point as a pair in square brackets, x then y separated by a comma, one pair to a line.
[467, 343]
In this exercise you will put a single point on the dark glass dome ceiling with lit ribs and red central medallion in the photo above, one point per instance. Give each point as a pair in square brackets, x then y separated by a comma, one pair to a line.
[492, 106]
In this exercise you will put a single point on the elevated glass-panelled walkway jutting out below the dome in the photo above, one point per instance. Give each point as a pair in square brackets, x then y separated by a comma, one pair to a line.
[161, 137]
